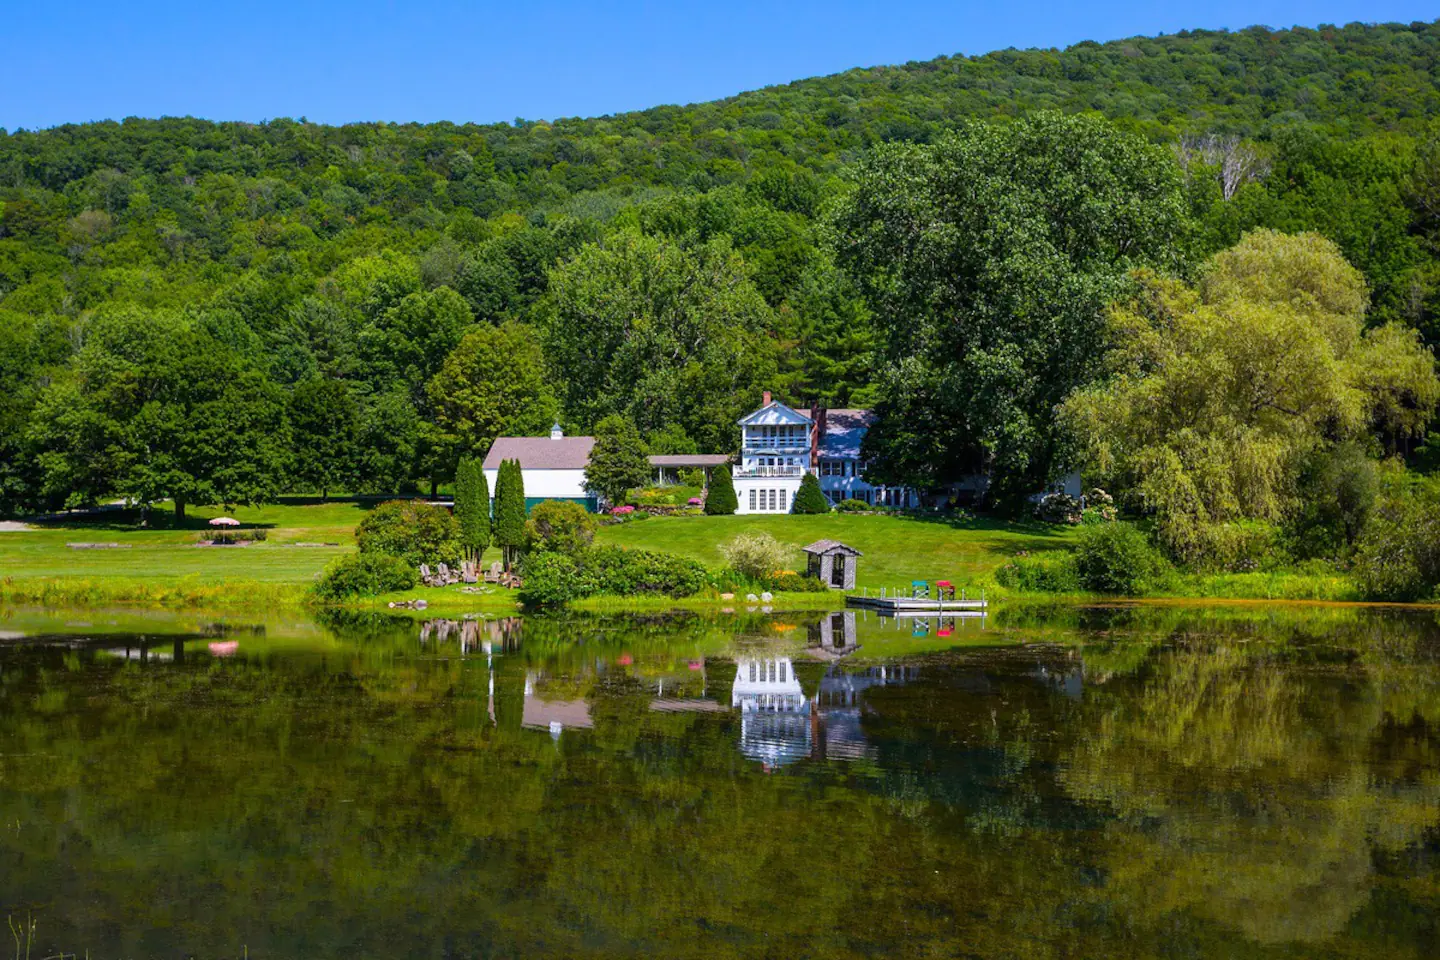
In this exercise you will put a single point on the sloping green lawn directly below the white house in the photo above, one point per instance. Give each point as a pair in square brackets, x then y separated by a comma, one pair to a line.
[896, 549]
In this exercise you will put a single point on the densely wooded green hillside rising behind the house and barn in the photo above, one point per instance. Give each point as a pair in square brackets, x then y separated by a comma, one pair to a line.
[374, 302]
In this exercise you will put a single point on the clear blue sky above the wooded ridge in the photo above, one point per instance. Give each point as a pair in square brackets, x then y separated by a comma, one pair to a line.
[365, 60]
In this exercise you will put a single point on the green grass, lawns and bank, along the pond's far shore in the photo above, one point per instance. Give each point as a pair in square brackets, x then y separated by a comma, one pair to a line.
[163, 566]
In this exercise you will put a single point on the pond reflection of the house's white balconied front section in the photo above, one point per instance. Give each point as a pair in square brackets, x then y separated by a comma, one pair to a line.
[775, 722]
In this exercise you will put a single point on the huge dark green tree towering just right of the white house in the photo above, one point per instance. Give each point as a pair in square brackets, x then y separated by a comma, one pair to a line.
[990, 260]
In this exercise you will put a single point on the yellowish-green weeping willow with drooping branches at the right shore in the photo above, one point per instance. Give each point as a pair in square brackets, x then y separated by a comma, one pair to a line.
[1218, 397]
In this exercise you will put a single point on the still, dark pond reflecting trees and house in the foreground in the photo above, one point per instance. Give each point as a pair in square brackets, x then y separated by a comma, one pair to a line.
[1128, 782]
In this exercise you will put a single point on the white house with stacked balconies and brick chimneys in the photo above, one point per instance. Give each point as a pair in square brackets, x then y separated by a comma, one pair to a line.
[780, 445]
